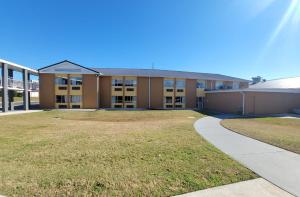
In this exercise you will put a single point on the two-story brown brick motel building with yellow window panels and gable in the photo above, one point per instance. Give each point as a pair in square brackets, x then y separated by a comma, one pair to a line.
[69, 85]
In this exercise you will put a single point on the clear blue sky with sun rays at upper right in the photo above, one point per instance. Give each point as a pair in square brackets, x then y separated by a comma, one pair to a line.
[241, 38]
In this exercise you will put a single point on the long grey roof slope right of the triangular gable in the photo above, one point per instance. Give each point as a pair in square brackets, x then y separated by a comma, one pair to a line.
[164, 73]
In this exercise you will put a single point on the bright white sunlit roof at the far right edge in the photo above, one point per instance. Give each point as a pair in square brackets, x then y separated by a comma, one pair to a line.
[286, 83]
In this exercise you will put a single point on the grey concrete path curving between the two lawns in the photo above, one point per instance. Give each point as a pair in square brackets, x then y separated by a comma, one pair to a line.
[276, 165]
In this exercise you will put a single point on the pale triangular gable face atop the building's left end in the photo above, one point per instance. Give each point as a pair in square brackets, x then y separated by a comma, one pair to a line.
[67, 68]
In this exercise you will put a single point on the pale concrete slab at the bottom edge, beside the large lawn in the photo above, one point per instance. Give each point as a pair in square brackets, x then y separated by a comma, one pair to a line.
[251, 188]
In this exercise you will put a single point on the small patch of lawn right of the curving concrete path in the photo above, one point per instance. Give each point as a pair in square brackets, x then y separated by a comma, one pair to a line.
[281, 132]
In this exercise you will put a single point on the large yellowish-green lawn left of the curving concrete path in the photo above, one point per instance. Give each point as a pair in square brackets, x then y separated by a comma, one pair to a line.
[131, 153]
